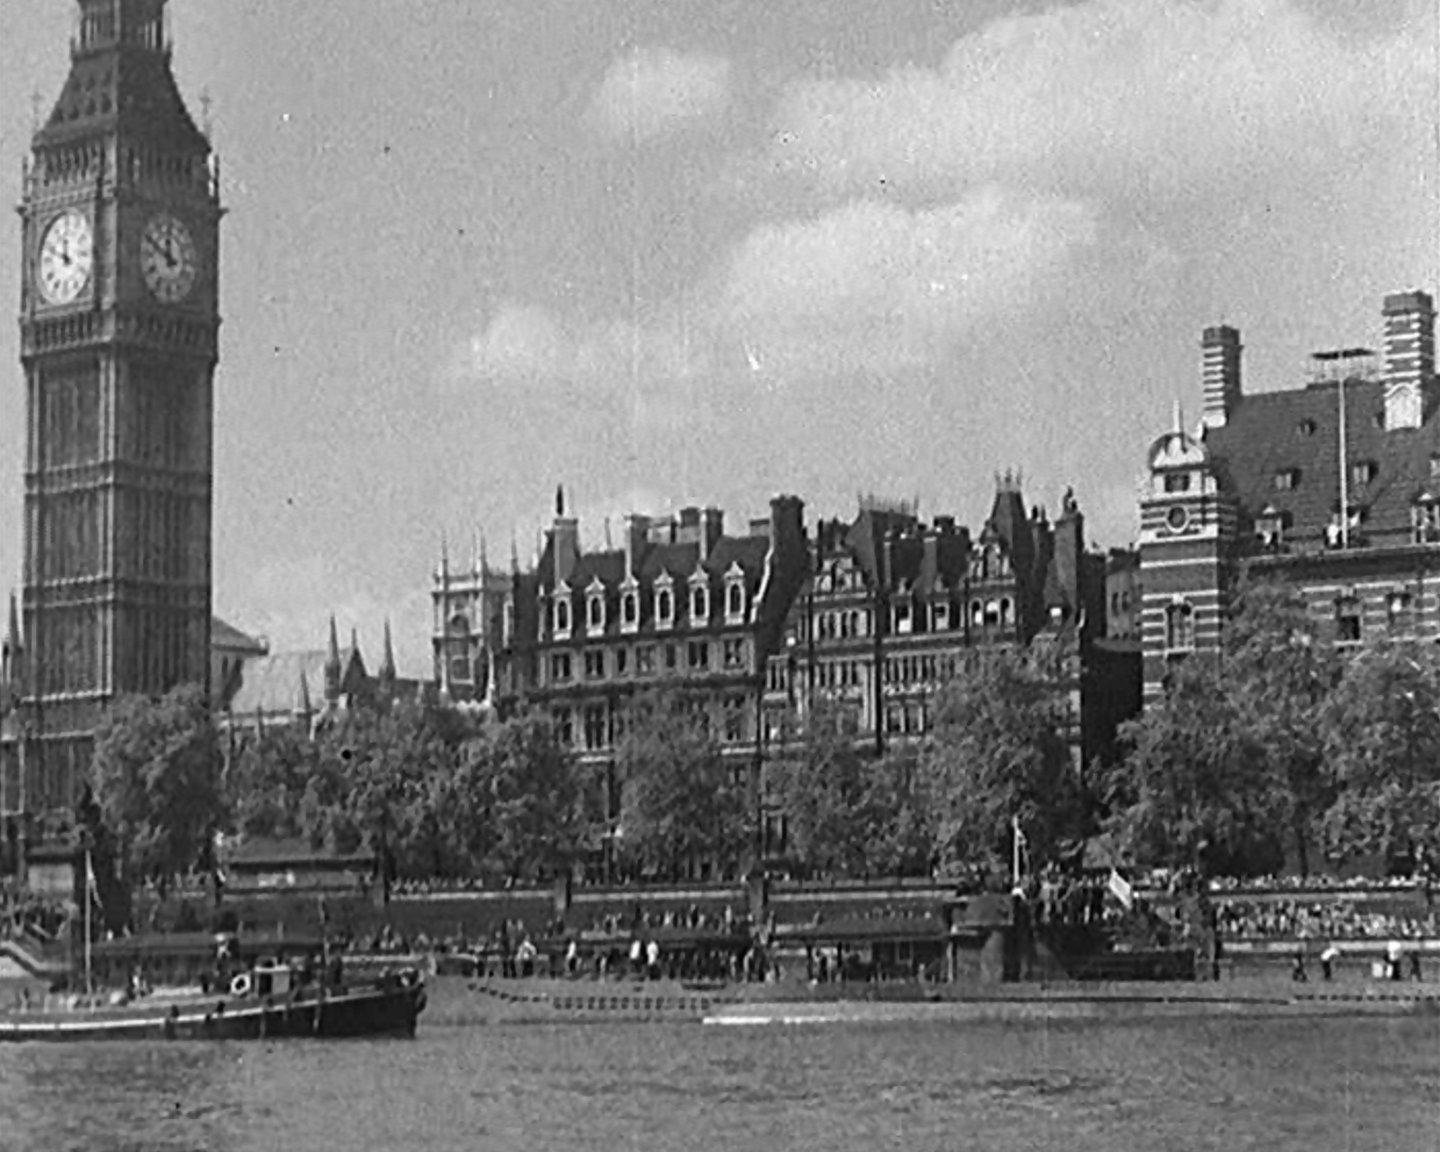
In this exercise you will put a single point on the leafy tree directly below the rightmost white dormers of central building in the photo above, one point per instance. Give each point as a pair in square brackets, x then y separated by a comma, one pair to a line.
[682, 803]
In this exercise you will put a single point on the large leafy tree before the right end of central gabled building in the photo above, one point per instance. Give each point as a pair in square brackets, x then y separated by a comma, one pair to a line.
[997, 755]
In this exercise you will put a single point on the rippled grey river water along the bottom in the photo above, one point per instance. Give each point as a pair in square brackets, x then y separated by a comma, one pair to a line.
[1222, 1084]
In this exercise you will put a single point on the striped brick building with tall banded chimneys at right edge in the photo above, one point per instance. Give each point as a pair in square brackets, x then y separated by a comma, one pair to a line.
[1333, 485]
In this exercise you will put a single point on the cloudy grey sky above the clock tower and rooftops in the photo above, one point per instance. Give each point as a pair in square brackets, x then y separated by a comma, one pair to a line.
[705, 251]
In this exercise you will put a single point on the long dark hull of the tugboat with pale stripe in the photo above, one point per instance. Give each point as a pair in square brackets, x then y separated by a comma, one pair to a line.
[391, 1012]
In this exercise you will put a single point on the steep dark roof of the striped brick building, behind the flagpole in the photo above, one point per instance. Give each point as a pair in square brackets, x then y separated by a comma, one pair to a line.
[1300, 430]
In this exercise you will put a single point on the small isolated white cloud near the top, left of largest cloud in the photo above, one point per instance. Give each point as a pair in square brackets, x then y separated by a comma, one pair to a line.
[653, 91]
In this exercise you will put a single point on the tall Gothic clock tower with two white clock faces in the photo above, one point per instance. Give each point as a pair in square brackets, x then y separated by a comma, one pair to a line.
[119, 322]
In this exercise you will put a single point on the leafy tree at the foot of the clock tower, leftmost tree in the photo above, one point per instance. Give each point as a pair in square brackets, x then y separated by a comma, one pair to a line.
[156, 783]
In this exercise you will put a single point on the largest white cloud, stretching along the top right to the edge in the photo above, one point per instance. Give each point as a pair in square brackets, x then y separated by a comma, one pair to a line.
[1112, 96]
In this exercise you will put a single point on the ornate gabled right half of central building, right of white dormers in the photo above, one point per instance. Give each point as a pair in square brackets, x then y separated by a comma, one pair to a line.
[894, 608]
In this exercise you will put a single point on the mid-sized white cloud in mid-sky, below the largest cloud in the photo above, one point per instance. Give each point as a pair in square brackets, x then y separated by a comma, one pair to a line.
[875, 287]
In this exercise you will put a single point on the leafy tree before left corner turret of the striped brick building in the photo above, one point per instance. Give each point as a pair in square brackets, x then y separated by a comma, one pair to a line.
[1194, 788]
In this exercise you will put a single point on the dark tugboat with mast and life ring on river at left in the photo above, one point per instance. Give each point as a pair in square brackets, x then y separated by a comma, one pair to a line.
[220, 989]
